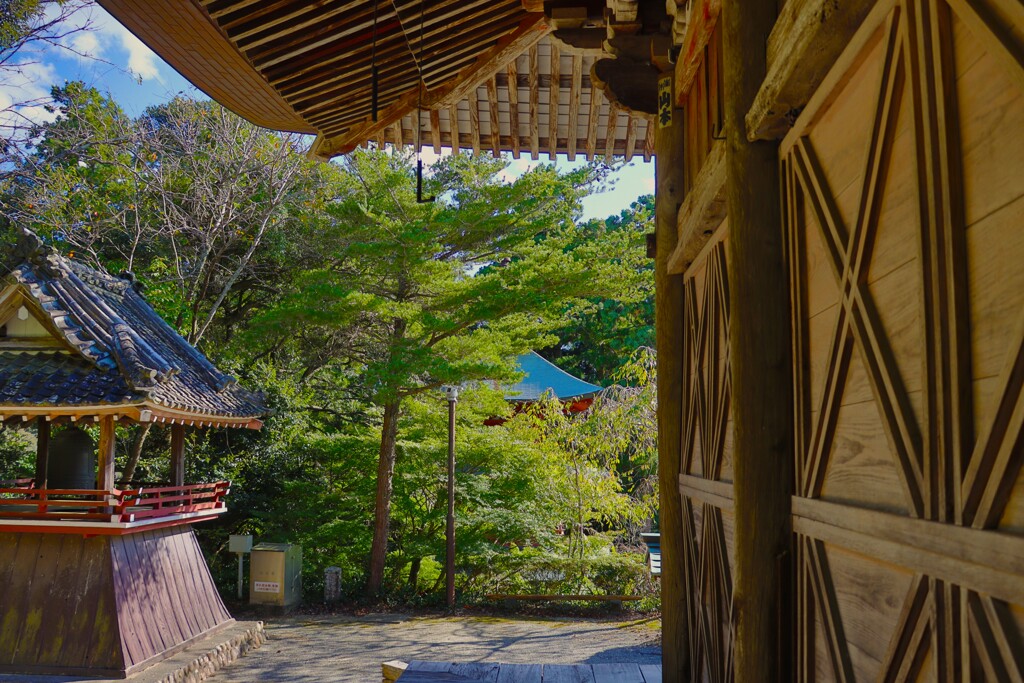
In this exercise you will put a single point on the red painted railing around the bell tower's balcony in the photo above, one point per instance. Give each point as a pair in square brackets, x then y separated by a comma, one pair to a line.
[21, 501]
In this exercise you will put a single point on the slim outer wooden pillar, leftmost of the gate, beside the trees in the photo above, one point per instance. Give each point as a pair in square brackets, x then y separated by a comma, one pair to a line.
[669, 334]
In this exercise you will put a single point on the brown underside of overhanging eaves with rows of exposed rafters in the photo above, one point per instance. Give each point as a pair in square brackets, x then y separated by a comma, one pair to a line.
[308, 67]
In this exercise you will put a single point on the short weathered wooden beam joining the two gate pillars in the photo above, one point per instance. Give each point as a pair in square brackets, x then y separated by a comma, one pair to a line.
[703, 210]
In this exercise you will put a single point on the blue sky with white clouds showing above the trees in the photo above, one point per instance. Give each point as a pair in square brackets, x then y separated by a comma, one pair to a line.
[111, 59]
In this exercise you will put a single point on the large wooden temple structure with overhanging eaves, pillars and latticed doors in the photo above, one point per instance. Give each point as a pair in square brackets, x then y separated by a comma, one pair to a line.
[840, 204]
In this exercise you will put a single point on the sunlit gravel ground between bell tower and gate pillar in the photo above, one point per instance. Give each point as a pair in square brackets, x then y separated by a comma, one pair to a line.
[305, 650]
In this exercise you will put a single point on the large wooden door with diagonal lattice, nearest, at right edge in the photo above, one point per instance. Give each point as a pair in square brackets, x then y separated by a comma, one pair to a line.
[904, 207]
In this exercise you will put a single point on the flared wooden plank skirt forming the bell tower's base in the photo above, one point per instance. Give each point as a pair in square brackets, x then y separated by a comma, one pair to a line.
[103, 606]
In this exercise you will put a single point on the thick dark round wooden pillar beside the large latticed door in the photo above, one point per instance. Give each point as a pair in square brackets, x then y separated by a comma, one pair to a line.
[759, 343]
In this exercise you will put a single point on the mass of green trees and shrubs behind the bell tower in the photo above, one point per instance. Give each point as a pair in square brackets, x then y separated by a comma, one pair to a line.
[350, 304]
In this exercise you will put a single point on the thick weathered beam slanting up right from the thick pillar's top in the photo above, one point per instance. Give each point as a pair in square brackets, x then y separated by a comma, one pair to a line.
[806, 41]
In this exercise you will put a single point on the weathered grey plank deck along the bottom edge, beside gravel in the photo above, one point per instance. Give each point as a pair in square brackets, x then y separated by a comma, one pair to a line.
[433, 672]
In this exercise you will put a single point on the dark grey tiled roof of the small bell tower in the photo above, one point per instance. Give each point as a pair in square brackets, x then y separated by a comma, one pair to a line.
[123, 352]
